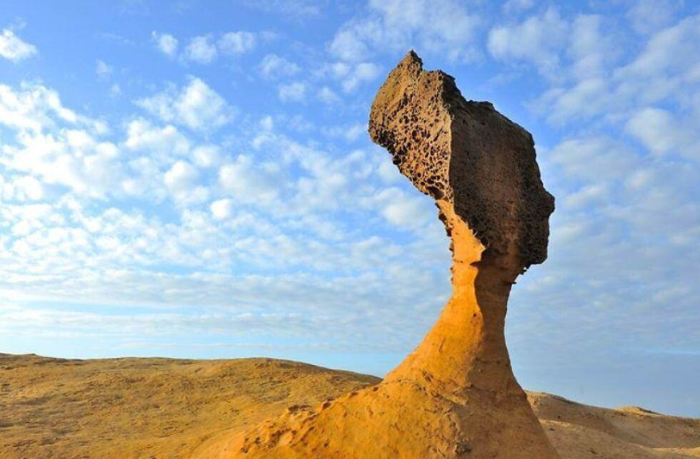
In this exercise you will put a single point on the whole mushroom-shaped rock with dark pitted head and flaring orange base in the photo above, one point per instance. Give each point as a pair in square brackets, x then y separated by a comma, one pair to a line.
[455, 396]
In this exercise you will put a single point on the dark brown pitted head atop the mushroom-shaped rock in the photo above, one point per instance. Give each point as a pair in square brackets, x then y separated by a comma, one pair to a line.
[466, 153]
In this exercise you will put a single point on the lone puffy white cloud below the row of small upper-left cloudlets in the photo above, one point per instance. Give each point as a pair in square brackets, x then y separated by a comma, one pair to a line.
[195, 105]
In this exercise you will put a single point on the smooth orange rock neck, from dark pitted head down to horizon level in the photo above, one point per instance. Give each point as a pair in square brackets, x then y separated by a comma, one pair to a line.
[466, 348]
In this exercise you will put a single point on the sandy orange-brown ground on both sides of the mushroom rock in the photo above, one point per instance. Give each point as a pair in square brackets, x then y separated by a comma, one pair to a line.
[163, 408]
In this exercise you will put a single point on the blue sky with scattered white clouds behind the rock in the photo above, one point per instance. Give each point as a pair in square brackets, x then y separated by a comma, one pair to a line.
[194, 179]
